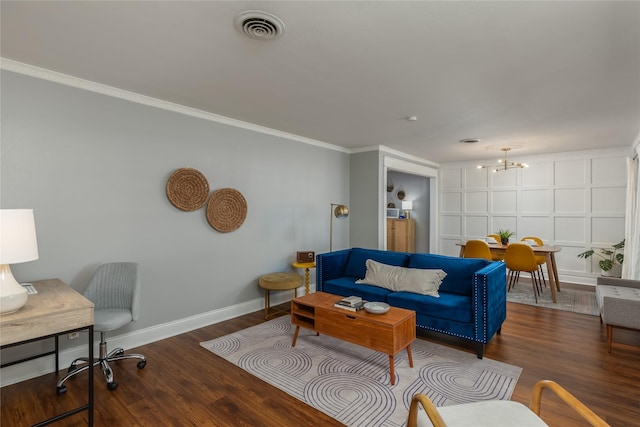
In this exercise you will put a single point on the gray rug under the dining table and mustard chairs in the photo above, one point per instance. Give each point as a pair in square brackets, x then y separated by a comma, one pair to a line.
[583, 302]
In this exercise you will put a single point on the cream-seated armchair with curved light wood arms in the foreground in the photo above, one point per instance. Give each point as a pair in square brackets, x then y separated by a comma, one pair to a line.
[495, 412]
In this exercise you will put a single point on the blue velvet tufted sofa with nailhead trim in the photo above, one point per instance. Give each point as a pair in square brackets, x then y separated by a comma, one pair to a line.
[472, 297]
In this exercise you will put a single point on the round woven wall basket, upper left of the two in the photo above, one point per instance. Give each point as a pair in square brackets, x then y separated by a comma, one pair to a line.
[187, 189]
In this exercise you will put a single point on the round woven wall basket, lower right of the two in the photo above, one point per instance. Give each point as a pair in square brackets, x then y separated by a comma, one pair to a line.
[226, 210]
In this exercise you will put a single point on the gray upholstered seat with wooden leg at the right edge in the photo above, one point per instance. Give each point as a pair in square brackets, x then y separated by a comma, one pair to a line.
[619, 304]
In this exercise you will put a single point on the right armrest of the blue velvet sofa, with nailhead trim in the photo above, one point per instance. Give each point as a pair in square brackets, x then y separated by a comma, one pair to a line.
[489, 300]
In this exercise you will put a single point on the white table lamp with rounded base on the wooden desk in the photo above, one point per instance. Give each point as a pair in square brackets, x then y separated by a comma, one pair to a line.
[17, 244]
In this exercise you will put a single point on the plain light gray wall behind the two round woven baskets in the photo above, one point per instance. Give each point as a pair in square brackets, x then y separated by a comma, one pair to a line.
[94, 169]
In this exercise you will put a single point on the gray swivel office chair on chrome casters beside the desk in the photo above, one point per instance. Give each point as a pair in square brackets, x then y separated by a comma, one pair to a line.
[115, 291]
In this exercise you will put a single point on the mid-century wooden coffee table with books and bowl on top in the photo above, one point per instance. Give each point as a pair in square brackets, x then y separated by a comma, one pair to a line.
[388, 333]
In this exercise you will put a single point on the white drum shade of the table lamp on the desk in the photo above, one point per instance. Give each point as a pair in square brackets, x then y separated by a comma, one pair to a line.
[17, 236]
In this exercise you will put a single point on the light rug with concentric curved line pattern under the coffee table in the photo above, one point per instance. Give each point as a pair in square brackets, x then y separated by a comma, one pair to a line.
[351, 383]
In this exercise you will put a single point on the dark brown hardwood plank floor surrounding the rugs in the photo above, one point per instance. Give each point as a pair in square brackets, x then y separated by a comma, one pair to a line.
[186, 385]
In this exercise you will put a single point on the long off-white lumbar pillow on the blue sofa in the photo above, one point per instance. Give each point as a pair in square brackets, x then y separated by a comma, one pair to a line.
[416, 280]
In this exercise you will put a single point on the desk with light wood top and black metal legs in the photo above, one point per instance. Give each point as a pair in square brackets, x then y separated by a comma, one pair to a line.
[55, 310]
